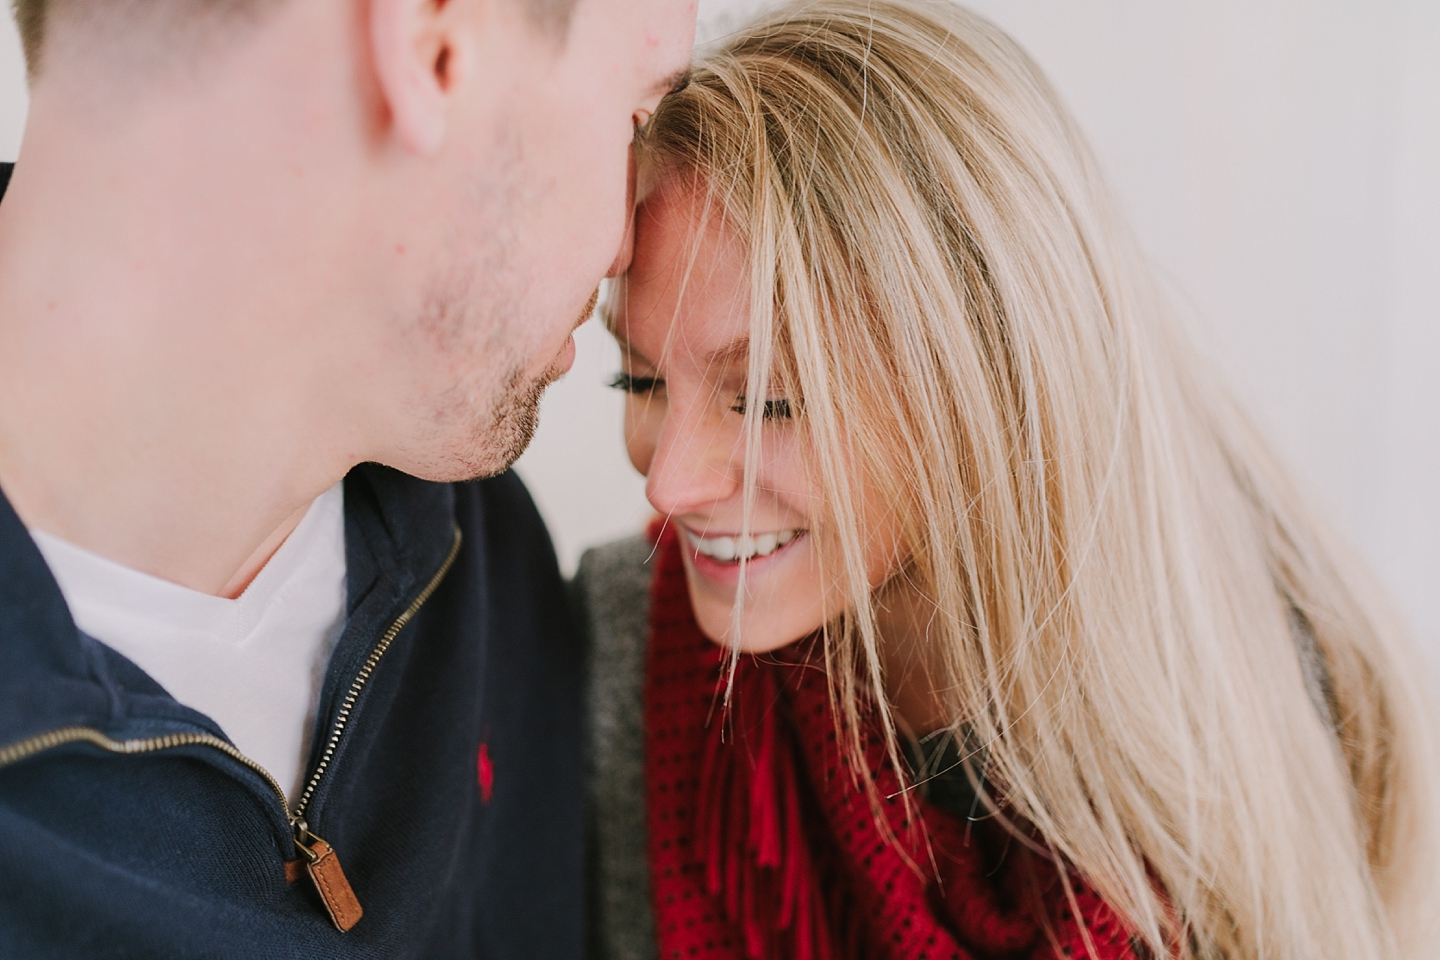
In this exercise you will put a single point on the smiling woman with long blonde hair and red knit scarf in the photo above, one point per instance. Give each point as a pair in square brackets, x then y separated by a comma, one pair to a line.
[980, 621]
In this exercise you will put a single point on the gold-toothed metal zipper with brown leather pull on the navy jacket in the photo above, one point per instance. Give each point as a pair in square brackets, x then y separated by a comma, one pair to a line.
[320, 859]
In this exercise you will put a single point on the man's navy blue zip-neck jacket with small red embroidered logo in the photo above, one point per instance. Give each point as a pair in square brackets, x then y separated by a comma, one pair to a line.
[446, 772]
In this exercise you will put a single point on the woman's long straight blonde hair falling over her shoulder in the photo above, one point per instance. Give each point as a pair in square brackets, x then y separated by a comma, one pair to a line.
[1170, 669]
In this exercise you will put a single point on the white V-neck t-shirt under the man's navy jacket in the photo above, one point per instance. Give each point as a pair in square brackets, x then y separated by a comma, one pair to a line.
[254, 664]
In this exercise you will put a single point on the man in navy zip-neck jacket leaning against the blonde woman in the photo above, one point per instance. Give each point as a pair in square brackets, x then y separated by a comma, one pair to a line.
[276, 276]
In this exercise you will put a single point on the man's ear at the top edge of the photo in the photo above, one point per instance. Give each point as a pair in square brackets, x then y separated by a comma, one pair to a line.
[415, 61]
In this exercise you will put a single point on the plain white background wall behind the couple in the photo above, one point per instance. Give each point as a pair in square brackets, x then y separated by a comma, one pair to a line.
[1281, 160]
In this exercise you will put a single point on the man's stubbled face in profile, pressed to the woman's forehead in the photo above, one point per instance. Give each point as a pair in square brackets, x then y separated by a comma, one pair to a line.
[529, 211]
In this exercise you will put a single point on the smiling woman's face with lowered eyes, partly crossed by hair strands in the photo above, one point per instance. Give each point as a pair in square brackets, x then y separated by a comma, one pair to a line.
[683, 322]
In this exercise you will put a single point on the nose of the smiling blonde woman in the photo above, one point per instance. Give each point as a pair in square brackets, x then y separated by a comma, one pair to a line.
[698, 464]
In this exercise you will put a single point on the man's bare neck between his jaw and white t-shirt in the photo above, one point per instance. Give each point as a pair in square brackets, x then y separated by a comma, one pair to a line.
[163, 401]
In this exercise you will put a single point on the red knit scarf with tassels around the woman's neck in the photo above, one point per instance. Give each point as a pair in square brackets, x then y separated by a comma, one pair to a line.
[762, 844]
